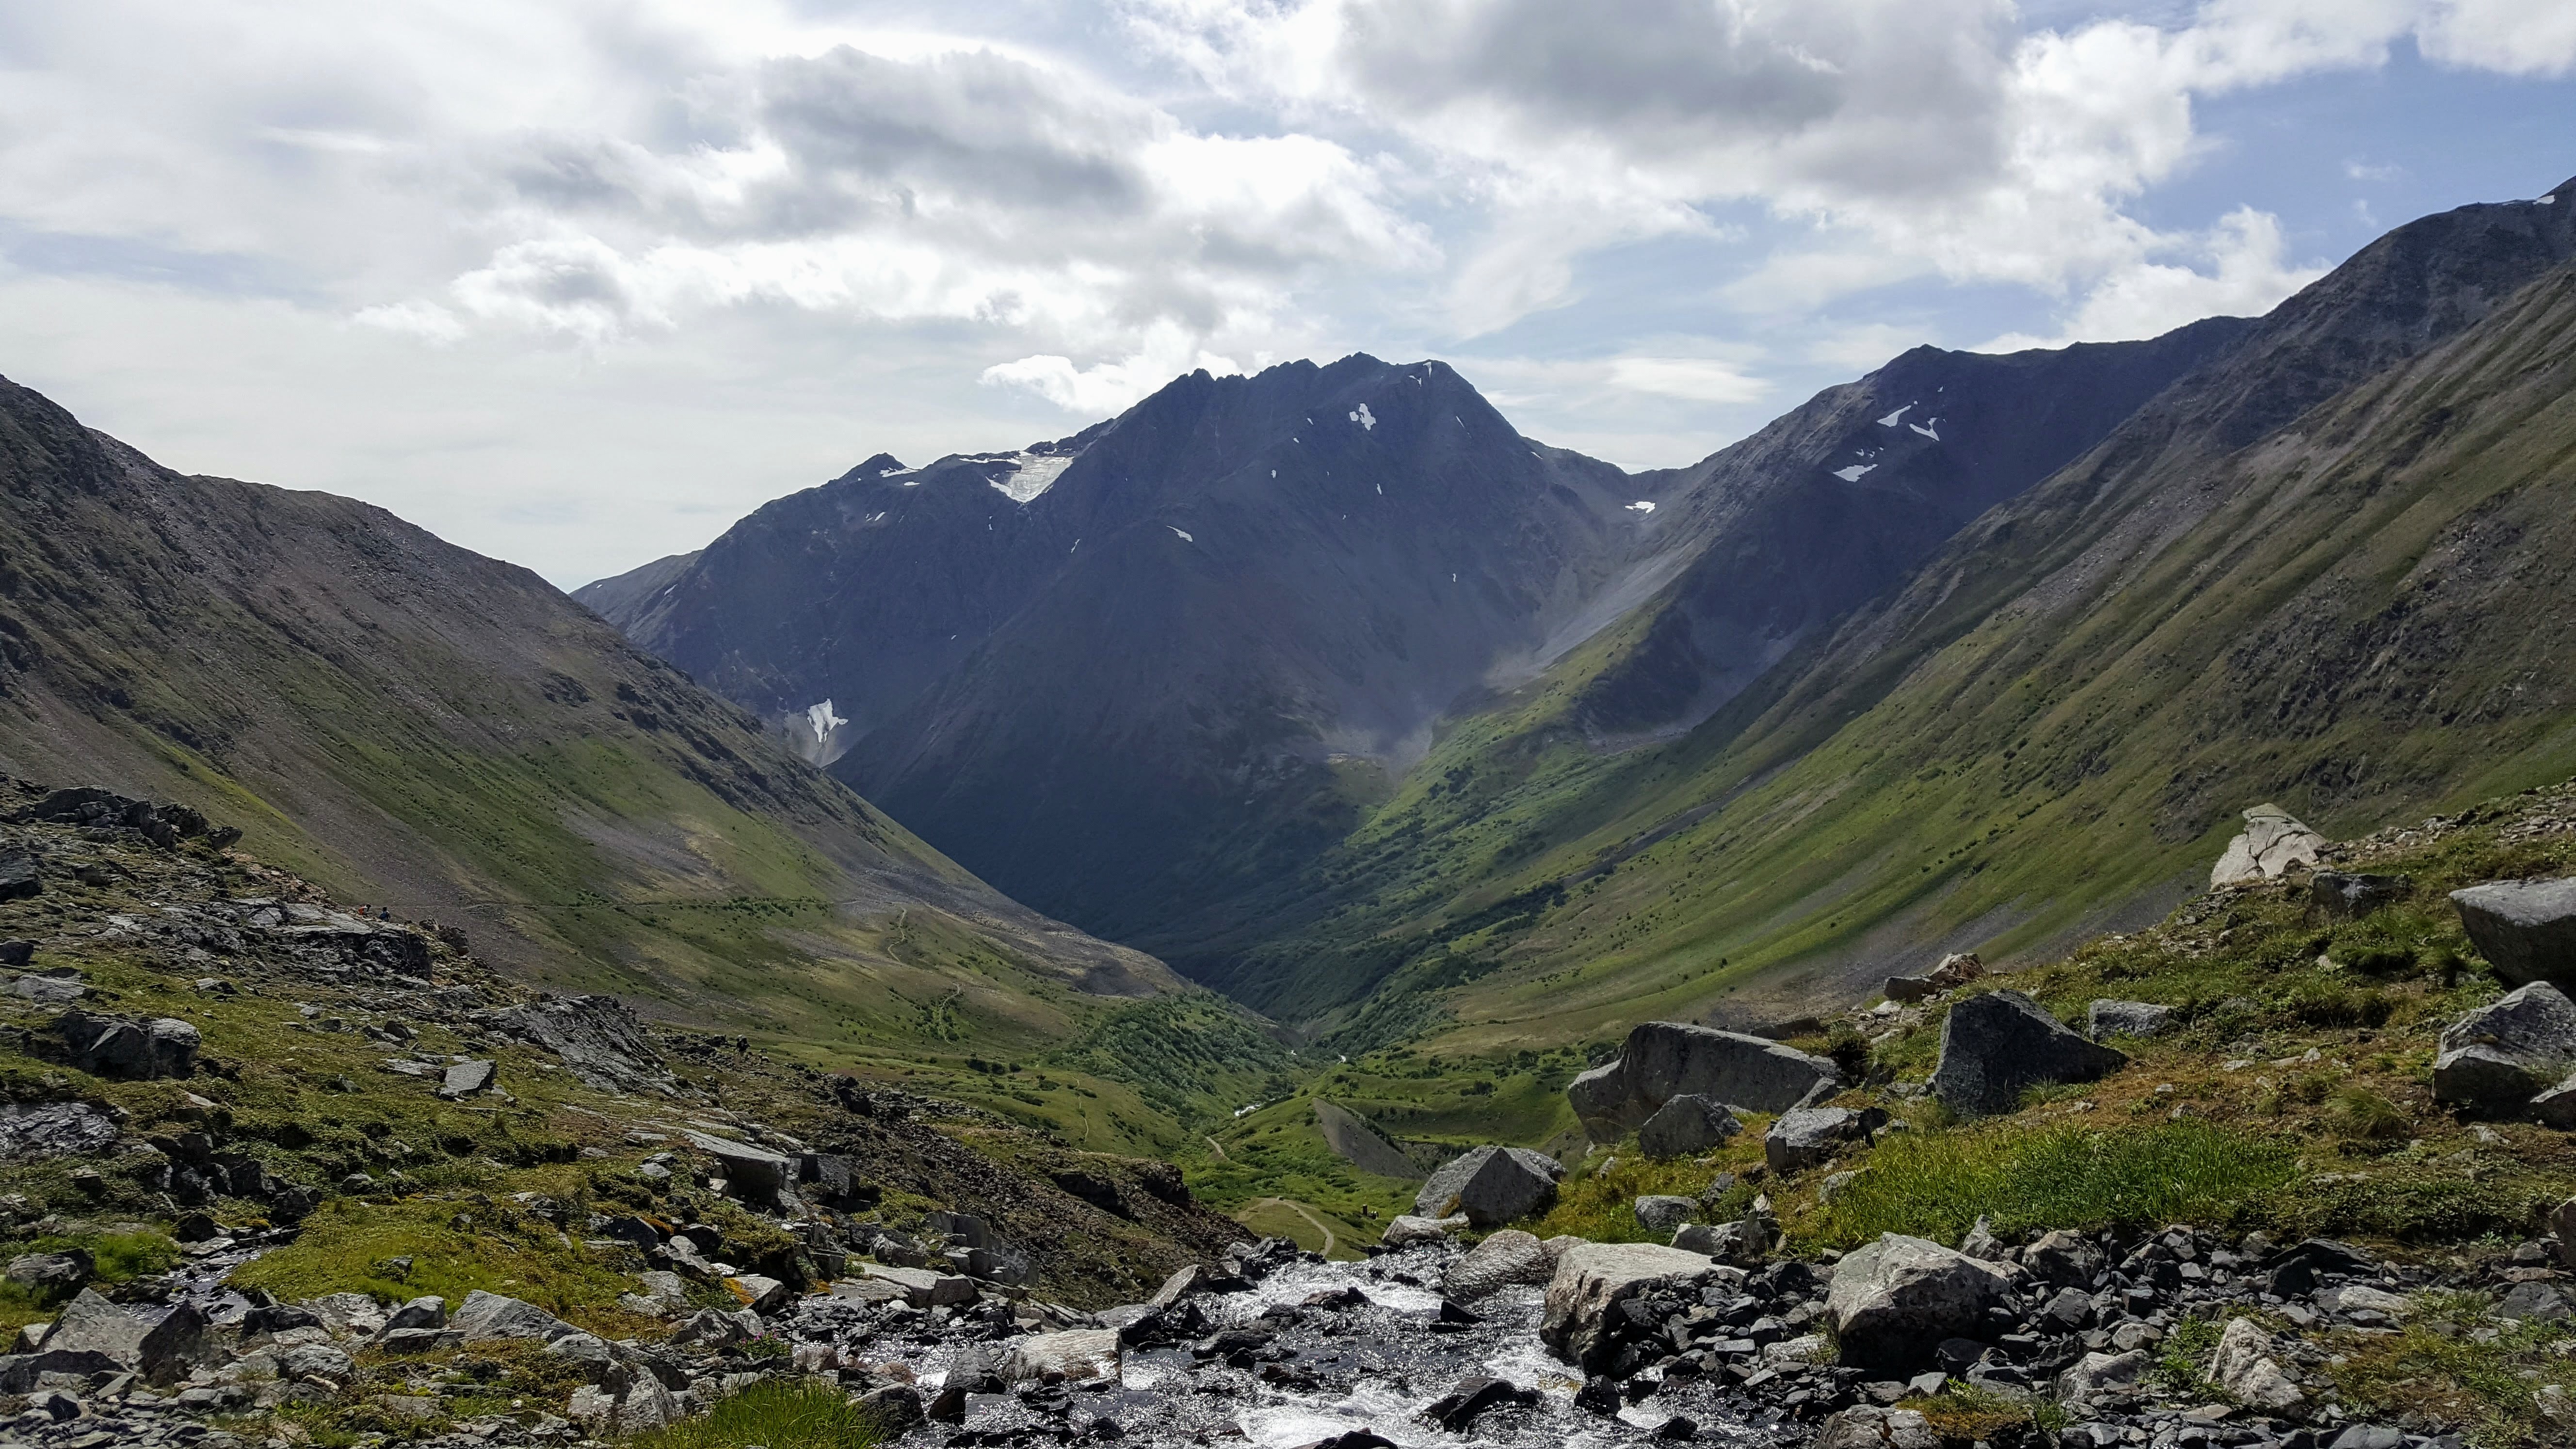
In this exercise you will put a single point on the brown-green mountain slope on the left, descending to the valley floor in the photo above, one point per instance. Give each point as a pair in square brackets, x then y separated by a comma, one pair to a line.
[450, 739]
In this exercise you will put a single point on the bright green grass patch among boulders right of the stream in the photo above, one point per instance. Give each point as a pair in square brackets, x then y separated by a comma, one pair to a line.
[1938, 1185]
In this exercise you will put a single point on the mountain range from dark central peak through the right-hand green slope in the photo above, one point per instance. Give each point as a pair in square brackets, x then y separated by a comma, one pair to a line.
[1346, 697]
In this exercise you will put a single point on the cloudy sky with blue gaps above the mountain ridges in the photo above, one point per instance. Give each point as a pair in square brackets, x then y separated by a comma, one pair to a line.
[581, 282]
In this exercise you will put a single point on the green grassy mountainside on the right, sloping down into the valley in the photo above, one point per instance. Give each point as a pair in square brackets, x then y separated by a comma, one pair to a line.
[2327, 569]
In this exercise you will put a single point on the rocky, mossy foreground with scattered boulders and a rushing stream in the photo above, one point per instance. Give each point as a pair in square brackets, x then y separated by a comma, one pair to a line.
[282, 1172]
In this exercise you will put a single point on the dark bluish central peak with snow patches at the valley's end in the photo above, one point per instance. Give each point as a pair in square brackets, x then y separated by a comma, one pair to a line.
[1191, 656]
